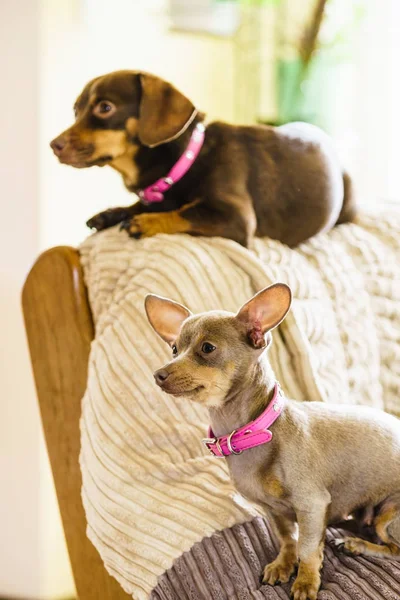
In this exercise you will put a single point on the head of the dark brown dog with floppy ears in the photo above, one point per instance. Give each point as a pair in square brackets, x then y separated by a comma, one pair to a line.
[117, 113]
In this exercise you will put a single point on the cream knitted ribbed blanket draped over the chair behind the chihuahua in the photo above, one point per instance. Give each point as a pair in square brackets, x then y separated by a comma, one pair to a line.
[149, 488]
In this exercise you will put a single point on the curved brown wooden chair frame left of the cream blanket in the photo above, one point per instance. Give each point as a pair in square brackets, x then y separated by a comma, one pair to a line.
[60, 329]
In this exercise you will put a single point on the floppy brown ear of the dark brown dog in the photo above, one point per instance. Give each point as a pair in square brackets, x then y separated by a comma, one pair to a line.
[164, 112]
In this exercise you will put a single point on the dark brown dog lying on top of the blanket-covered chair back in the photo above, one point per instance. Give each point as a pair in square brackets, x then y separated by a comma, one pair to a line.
[282, 182]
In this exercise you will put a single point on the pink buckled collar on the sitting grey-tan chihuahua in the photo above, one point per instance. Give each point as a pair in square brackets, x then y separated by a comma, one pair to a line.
[253, 434]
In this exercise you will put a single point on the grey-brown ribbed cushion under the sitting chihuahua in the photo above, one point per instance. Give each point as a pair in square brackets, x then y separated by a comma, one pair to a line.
[228, 566]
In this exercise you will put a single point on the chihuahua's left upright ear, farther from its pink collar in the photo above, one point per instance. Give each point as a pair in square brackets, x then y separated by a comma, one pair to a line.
[165, 316]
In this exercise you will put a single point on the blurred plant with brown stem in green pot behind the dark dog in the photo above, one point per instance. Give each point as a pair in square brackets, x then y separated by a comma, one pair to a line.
[312, 39]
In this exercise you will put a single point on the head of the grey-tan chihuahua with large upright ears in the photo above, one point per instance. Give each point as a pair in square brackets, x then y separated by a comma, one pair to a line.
[214, 353]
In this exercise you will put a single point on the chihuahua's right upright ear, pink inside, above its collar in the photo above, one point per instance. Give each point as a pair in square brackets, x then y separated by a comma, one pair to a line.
[265, 311]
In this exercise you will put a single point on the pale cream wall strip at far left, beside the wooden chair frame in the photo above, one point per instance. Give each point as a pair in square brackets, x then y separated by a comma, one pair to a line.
[28, 511]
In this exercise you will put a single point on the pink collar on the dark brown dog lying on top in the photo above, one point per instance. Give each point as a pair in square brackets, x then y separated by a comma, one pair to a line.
[155, 192]
